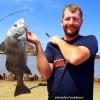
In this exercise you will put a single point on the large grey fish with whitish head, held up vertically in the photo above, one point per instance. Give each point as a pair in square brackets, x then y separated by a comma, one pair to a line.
[14, 46]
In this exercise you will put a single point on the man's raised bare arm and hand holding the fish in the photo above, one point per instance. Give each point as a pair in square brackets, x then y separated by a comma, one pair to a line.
[45, 68]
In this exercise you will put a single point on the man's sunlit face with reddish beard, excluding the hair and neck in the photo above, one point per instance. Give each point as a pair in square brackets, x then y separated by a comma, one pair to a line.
[71, 23]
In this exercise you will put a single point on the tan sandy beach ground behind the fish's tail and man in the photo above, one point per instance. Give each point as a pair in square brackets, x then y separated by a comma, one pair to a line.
[38, 93]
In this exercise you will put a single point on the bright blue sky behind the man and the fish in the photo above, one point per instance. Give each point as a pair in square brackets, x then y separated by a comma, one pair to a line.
[45, 15]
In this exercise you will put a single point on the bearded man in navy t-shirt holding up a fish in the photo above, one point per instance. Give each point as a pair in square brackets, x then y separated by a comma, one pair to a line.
[68, 63]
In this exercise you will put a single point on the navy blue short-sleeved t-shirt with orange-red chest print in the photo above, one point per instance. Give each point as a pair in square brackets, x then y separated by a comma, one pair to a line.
[69, 80]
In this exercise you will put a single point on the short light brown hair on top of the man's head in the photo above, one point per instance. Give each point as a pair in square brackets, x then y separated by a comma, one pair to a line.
[72, 8]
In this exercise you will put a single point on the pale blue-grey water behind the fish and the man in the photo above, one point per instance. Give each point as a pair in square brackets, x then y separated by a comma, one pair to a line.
[31, 62]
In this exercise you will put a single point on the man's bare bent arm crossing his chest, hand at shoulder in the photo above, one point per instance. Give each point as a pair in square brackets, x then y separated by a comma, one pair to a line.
[72, 54]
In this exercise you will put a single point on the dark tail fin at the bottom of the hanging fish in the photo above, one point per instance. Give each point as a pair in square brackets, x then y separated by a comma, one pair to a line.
[21, 89]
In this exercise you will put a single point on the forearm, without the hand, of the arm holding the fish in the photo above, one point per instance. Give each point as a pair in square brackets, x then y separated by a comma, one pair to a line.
[42, 63]
